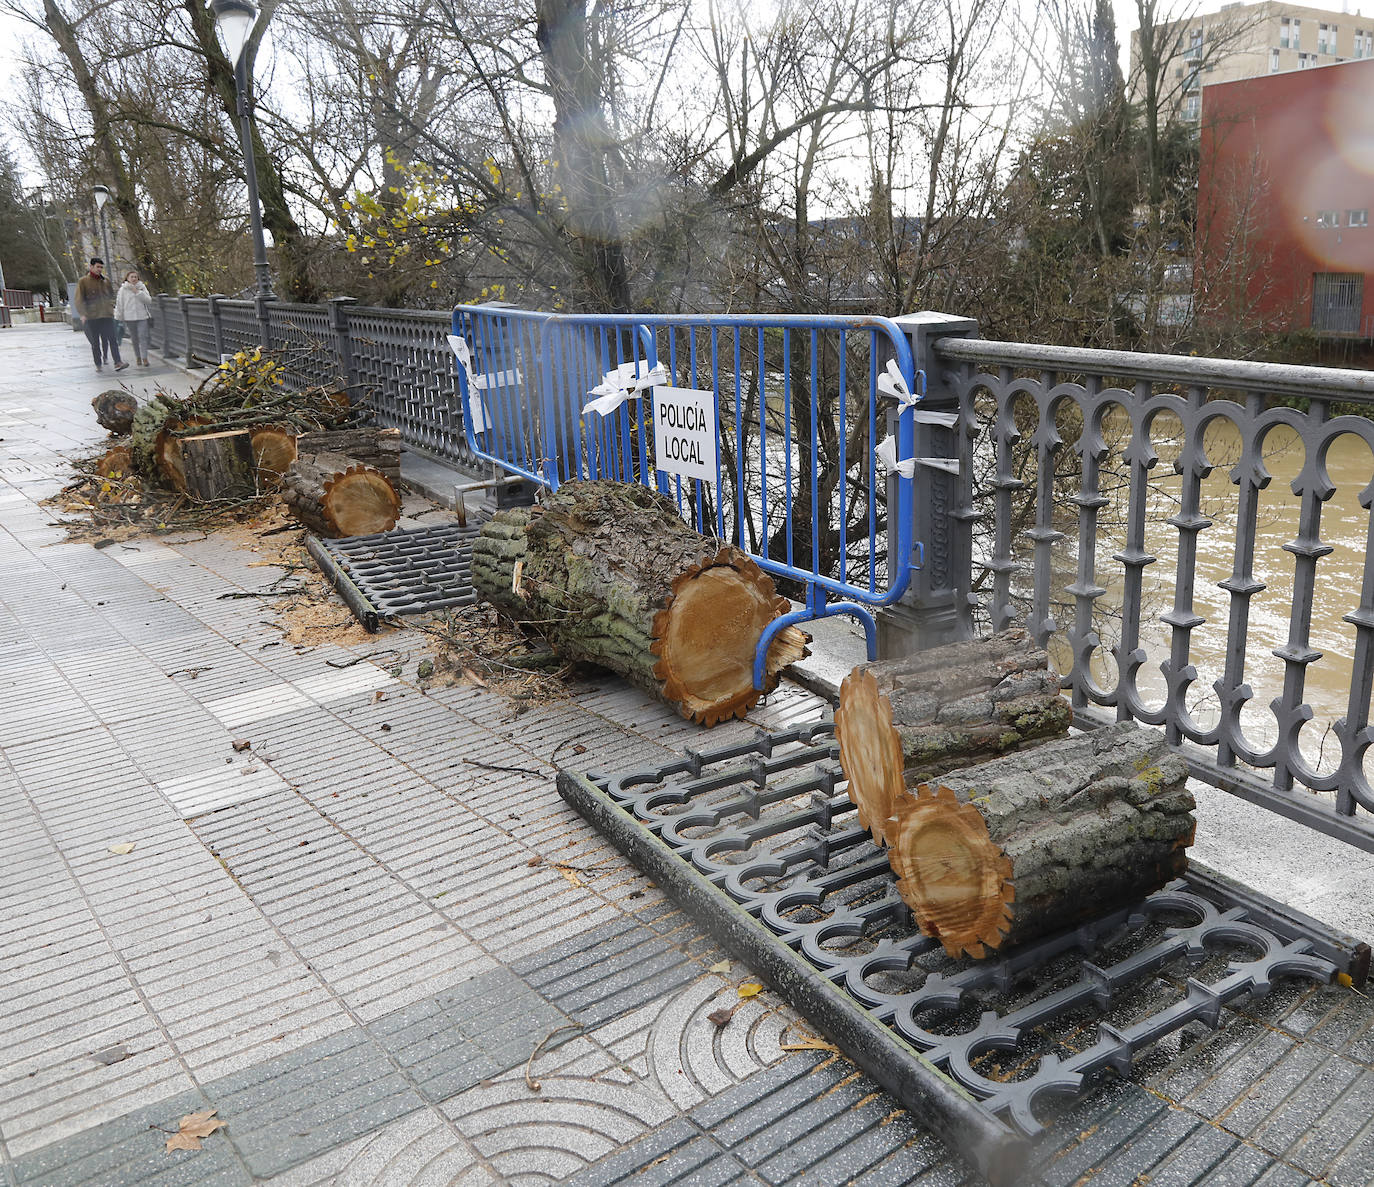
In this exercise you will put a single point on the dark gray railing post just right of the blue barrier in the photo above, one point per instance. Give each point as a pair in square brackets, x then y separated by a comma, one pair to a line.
[931, 611]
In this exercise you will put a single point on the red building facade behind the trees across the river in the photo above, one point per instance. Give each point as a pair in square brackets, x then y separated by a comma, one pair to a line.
[1285, 193]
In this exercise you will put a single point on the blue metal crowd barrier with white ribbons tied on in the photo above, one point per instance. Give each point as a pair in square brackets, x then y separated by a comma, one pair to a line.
[799, 405]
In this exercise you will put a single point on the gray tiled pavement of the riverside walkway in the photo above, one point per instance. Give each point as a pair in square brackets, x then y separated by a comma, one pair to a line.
[351, 939]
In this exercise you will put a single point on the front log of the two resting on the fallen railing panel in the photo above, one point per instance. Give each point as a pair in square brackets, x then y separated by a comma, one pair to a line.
[1039, 841]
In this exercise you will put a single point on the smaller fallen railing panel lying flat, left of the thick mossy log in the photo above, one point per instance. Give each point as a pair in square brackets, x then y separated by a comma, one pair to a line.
[406, 572]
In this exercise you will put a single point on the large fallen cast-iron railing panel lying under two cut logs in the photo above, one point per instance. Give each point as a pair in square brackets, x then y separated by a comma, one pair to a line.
[767, 822]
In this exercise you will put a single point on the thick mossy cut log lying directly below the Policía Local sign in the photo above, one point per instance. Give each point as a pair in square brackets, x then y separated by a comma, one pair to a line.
[611, 575]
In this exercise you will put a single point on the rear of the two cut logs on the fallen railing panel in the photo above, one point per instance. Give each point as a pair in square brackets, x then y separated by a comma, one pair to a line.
[908, 719]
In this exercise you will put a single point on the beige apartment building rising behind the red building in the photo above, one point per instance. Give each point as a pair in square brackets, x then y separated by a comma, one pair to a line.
[1246, 42]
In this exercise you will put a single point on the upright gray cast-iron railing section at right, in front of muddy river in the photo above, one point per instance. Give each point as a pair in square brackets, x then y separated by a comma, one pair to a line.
[1061, 508]
